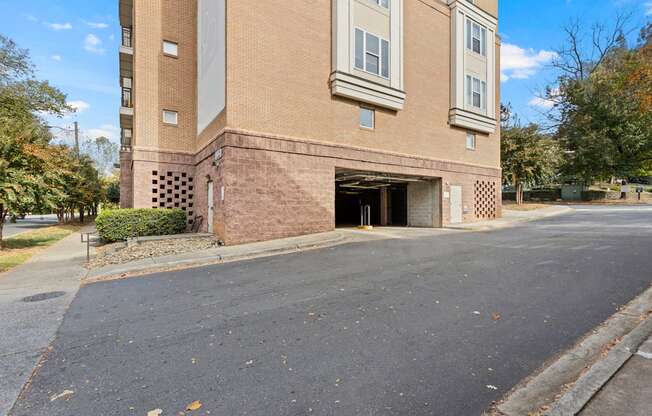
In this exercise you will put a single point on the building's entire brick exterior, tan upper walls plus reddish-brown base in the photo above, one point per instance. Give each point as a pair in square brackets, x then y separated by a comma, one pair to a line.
[279, 165]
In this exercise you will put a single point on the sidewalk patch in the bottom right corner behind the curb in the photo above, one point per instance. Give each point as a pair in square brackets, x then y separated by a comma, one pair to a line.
[629, 392]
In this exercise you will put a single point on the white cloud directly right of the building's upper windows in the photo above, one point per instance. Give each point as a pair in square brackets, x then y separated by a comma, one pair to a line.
[519, 63]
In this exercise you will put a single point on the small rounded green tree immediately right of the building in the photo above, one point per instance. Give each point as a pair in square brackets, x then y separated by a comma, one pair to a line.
[528, 157]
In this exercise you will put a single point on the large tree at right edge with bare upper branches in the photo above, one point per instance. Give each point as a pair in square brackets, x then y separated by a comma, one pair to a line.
[602, 103]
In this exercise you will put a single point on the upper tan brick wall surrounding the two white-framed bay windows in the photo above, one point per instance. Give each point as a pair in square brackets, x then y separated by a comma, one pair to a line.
[284, 90]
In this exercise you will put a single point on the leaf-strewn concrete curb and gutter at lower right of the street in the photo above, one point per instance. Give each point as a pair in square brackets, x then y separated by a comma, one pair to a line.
[564, 386]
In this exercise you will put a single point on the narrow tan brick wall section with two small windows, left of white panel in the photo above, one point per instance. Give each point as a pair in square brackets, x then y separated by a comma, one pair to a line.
[164, 82]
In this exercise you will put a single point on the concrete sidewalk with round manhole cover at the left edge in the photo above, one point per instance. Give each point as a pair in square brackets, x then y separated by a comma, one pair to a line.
[28, 326]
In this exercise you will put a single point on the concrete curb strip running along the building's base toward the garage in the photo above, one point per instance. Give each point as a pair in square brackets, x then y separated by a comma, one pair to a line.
[158, 265]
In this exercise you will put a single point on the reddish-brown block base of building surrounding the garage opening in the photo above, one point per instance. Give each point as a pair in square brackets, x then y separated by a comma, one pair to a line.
[275, 187]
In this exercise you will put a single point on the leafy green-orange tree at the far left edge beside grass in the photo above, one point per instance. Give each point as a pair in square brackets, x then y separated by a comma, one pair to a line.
[28, 162]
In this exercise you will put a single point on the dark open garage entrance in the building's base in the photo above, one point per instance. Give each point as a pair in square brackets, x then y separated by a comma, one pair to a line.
[386, 199]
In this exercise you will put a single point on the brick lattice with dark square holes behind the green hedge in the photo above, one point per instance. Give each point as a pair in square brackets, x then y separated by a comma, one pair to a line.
[174, 190]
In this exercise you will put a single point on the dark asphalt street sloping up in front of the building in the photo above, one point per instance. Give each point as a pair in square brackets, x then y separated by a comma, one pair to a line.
[440, 325]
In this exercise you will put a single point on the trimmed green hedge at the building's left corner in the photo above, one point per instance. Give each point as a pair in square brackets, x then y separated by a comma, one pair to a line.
[121, 224]
